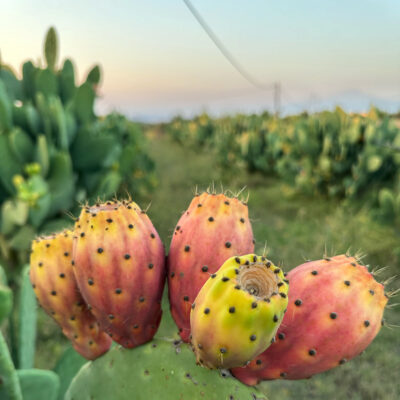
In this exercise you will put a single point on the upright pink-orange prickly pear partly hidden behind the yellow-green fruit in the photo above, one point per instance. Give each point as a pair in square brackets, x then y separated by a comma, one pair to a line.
[213, 229]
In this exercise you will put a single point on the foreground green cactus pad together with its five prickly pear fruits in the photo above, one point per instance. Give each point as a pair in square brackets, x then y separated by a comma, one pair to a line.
[103, 281]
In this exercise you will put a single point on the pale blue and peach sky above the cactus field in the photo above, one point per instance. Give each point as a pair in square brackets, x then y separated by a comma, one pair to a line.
[157, 61]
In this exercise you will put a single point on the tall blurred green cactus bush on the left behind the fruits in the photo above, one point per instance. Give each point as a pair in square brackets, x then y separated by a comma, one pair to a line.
[55, 152]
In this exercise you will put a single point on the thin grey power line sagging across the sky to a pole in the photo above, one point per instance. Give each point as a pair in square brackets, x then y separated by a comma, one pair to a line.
[227, 54]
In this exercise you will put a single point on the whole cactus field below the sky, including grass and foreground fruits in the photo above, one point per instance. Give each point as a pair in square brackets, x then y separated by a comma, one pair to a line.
[245, 257]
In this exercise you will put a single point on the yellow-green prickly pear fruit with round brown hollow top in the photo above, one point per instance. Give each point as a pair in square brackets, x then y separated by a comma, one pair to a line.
[237, 312]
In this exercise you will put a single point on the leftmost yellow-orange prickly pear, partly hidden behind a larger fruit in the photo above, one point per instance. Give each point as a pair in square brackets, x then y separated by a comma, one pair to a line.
[55, 287]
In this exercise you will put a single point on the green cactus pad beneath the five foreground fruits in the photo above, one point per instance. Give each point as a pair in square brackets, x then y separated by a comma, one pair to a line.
[157, 370]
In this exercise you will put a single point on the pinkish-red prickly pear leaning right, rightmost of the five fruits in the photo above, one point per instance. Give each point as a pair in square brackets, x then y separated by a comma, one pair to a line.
[335, 311]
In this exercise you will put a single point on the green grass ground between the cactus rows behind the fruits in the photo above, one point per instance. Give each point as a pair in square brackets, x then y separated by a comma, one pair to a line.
[293, 229]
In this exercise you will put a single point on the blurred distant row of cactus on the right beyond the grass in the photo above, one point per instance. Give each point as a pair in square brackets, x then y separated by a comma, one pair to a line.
[329, 153]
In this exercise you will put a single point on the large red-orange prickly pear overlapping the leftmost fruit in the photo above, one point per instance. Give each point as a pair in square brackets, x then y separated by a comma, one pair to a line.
[120, 269]
